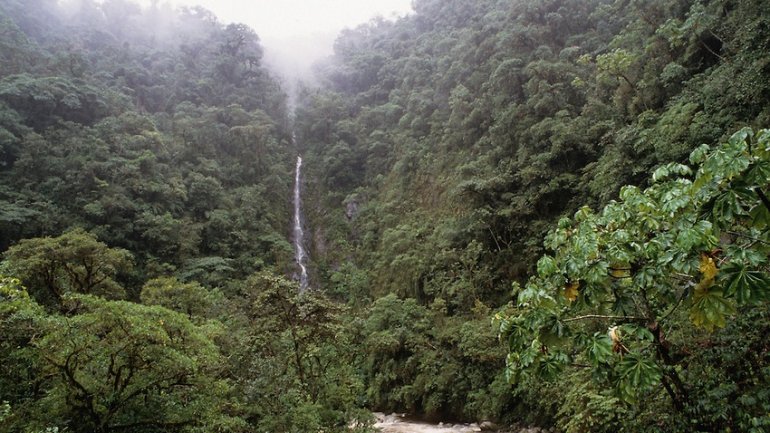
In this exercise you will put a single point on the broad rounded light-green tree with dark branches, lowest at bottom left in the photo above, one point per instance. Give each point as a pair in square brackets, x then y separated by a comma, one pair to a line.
[120, 365]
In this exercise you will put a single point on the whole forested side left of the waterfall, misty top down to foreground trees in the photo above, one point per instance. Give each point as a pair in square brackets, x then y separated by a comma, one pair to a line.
[145, 199]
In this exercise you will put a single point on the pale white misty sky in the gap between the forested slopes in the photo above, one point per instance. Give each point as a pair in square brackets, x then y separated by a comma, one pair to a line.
[296, 33]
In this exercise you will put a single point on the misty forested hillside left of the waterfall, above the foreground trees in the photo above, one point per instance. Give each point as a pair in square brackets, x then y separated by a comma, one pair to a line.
[166, 140]
